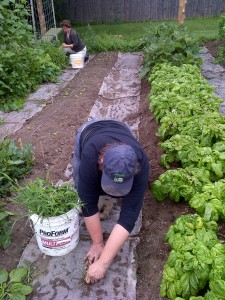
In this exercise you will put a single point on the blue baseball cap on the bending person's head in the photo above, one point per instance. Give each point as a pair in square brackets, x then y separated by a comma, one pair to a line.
[119, 165]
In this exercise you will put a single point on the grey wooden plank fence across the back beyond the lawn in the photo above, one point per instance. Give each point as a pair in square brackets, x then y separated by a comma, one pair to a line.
[112, 11]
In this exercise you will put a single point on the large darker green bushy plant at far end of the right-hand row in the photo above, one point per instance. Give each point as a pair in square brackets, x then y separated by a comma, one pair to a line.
[169, 43]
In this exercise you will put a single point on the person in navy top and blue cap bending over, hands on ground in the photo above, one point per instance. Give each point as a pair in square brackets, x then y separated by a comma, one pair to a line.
[108, 160]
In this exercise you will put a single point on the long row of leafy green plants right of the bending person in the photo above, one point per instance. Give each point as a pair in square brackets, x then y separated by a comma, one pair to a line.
[191, 130]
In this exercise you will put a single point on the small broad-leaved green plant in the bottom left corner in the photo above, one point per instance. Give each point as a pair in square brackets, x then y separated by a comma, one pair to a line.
[14, 285]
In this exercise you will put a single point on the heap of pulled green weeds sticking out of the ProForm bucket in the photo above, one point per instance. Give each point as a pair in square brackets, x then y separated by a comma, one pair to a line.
[45, 199]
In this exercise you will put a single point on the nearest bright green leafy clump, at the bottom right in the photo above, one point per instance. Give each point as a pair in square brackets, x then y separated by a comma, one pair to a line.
[188, 267]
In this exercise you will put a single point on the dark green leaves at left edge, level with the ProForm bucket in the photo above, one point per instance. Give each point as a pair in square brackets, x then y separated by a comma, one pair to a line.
[5, 233]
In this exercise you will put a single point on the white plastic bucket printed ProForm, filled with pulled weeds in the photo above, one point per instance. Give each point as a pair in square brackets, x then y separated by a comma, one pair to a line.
[57, 236]
